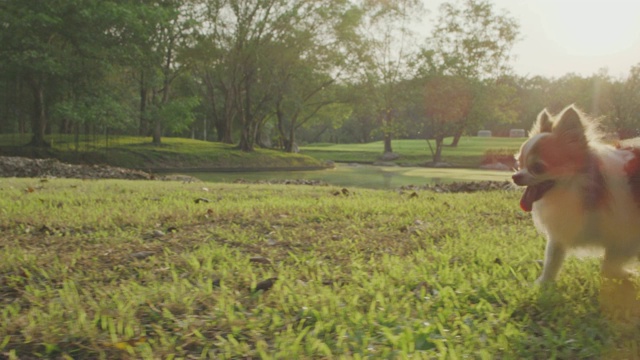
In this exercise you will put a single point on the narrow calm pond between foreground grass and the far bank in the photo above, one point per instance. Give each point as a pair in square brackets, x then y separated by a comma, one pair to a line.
[366, 176]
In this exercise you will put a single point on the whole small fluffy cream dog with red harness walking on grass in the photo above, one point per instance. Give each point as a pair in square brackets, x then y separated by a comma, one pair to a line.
[581, 192]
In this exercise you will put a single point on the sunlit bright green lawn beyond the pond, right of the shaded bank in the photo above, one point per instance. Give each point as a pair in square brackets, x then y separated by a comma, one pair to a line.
[468, 153]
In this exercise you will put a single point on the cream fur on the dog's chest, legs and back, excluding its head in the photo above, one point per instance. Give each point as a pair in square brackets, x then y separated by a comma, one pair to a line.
[614, 227]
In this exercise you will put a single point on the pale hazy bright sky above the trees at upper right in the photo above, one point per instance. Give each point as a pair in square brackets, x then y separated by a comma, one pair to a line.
[580, 36]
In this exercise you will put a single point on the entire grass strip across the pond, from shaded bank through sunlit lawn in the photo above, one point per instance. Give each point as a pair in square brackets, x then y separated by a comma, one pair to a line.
[137, 152]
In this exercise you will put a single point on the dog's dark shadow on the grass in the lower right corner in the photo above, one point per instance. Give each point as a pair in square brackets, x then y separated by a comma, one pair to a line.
[559, 321]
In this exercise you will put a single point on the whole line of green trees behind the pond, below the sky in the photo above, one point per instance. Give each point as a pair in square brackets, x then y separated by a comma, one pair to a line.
[274, 73]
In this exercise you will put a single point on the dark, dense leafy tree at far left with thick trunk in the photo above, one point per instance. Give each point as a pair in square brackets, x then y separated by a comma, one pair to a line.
[63, 51]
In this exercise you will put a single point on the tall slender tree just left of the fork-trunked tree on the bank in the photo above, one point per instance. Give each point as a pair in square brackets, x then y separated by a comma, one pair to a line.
[242, 31]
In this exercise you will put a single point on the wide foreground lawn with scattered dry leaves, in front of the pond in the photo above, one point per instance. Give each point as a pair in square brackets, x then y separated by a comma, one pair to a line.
[381, 274]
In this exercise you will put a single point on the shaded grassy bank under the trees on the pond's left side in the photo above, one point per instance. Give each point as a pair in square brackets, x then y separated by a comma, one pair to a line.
[137, 152]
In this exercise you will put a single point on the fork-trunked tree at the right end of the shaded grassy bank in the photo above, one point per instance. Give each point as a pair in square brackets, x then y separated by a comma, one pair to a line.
[311, 60]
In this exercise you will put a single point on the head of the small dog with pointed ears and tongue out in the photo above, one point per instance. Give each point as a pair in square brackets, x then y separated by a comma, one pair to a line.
[557, 149]
